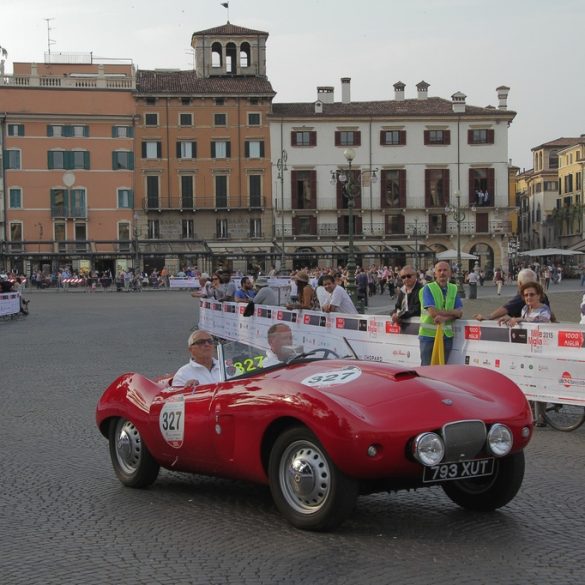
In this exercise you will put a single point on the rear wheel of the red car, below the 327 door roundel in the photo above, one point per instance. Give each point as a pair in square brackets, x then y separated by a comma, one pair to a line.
[131, 459]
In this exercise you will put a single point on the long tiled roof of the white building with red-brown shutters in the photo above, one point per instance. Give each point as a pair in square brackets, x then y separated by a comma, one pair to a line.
[410, 107]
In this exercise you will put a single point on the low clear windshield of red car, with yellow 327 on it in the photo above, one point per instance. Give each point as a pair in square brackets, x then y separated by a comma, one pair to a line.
[240, 359]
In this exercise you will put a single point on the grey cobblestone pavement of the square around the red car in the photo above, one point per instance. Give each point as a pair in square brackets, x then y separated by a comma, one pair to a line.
[67, 520]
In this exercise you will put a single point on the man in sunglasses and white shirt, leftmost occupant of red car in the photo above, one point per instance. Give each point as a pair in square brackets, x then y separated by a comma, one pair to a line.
[202, 368]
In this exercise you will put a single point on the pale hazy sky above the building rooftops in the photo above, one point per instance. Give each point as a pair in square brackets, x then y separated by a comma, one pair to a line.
[472, 46]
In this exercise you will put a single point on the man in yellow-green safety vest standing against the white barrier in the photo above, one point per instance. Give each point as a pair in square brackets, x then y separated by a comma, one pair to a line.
[440, 305]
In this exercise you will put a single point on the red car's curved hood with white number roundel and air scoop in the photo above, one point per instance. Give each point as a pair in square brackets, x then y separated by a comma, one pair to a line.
[382, 392]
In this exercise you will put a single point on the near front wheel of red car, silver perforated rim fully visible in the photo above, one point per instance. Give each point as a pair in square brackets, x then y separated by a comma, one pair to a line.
[307, 488]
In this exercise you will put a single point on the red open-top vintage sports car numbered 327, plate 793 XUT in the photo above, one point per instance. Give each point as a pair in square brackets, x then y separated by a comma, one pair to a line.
[321, 431]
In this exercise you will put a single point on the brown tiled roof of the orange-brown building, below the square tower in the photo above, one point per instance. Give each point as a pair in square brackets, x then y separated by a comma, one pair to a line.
[187, 82]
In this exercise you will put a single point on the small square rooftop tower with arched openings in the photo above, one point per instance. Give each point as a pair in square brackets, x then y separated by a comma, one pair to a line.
[230, 51]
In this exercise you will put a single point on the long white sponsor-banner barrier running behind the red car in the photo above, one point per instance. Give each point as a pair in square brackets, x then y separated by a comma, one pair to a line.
[546, 360]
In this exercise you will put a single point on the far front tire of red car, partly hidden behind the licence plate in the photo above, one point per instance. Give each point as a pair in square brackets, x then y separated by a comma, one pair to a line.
[489, 493]
